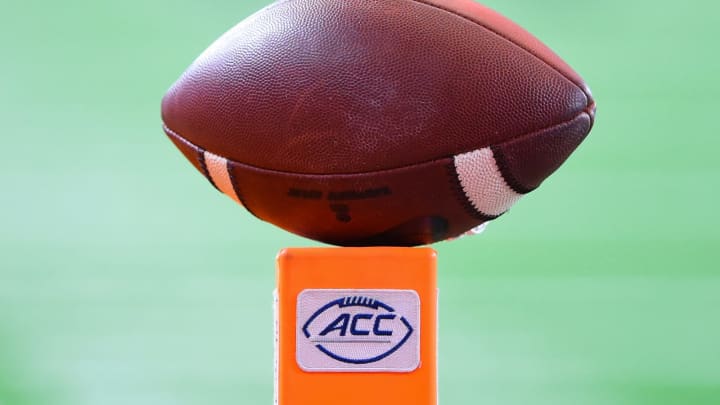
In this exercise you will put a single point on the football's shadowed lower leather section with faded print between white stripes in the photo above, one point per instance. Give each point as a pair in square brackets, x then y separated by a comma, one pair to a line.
[410, 206]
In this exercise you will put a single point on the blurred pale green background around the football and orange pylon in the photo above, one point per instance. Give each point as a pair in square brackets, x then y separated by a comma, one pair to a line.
[126, 279]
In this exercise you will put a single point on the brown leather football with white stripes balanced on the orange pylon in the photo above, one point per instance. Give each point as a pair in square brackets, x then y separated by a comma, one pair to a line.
[377, 122]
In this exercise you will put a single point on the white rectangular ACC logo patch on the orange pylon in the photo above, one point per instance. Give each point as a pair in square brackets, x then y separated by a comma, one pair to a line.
[363, 330]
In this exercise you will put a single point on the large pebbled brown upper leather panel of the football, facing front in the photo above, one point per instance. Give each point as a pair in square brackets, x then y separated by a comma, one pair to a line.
[367, 80]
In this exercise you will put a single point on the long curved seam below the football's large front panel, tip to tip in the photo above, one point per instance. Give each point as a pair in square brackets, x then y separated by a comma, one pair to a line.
[451, 156]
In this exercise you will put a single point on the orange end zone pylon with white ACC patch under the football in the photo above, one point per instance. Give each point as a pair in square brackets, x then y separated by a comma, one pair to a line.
[356, 326]
